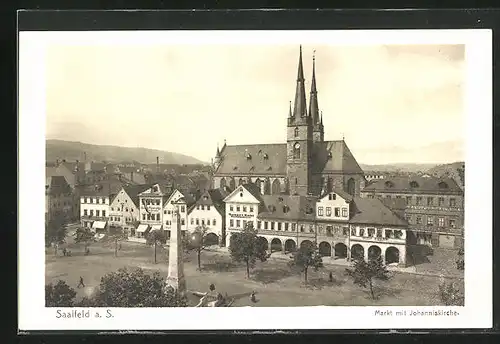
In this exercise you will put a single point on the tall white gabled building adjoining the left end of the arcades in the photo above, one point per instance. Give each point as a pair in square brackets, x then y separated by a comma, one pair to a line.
[242, 206]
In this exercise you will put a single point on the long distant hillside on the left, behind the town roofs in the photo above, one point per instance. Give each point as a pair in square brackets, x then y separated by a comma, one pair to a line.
[71, 151]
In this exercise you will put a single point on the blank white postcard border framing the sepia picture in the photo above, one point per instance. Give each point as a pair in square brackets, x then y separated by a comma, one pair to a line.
[477, 312]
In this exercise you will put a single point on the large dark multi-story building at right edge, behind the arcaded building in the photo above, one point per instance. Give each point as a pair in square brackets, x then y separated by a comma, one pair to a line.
[434, 208]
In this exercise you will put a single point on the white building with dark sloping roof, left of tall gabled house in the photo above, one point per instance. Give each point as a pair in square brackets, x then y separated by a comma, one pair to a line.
[209, 213]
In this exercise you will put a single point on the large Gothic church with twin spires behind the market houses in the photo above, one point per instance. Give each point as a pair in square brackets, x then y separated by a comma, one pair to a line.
[306, 165]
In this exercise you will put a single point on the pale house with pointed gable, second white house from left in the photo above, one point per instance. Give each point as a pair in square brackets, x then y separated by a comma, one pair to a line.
[124, 208]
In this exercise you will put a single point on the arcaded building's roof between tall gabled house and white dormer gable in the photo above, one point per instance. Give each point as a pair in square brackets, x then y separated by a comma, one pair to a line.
[287, 207]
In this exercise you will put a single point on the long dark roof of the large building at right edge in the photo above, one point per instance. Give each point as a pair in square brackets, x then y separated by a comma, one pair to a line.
[415, 184]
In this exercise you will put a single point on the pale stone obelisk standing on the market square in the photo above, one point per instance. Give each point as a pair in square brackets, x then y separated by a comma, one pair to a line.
[176, 277]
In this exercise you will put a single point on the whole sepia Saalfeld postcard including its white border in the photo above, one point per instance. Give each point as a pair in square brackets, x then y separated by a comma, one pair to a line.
[311, 171]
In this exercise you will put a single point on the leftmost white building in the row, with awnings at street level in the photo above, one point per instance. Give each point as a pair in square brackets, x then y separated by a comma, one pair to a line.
[94, 208]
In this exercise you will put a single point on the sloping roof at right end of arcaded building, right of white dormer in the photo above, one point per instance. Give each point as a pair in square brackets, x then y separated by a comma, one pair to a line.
[373, 211]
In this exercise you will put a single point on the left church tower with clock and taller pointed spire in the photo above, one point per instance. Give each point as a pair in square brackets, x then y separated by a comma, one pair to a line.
[299, 139]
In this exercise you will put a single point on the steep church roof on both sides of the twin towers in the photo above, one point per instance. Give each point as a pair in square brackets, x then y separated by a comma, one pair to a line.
[270, 159]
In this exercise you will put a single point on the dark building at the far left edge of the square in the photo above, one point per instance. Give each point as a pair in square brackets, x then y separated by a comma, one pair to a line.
[58, 198]
